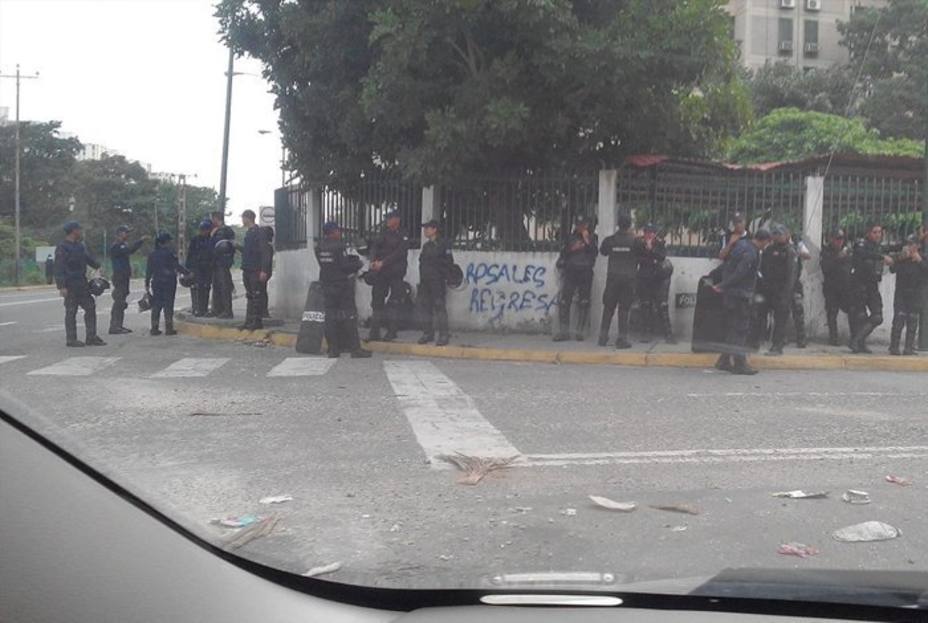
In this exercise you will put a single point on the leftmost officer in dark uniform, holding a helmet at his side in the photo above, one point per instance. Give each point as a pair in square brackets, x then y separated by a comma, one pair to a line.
[71, 262]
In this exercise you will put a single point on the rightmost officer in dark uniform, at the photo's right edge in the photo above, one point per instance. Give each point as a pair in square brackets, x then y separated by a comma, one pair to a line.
[911, 270]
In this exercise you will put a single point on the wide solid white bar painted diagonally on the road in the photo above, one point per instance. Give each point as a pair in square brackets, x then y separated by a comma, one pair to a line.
[443, 418]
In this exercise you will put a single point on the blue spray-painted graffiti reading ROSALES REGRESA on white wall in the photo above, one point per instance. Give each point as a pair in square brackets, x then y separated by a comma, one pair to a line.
[517, 289]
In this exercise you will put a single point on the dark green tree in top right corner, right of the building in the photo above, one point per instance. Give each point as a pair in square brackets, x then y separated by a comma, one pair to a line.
[894, 71]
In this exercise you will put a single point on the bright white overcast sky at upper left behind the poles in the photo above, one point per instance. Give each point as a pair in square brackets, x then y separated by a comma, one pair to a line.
[145, 78]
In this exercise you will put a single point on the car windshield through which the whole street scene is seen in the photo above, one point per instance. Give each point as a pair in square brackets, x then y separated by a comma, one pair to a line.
[616, 295]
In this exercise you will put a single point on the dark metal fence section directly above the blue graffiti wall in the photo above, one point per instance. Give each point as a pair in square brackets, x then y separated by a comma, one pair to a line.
[515, 214]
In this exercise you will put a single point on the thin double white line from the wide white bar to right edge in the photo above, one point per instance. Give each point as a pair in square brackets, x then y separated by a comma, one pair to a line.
[733, 455]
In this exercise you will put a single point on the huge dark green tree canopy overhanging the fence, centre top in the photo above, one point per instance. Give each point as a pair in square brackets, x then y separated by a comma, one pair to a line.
[448, 89]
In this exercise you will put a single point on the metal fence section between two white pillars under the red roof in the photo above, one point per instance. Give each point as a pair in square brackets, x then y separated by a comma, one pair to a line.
[694, 207]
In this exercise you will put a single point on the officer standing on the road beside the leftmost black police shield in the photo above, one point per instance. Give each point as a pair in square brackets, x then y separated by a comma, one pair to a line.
[341, 315]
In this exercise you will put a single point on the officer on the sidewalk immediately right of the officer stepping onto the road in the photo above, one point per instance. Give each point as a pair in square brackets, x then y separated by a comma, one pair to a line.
[779, 264]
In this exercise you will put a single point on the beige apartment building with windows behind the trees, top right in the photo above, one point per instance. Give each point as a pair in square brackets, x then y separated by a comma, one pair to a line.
[803, 33]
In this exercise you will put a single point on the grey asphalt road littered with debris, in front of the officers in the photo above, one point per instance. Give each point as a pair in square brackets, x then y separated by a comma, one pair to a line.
[204, 430]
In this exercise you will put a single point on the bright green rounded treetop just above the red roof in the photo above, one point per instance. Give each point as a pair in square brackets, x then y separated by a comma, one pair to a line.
[792, 134]
